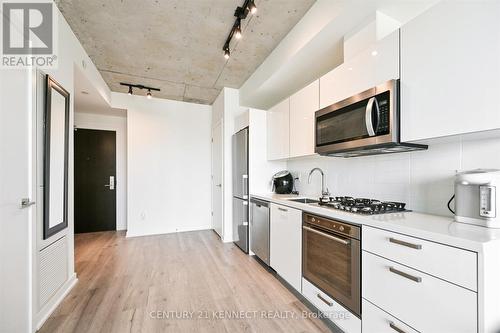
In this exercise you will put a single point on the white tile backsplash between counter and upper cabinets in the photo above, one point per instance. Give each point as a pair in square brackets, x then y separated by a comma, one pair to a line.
[422, 179]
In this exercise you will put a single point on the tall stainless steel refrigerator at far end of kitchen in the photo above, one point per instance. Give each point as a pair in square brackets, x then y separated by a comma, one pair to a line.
[240, 189]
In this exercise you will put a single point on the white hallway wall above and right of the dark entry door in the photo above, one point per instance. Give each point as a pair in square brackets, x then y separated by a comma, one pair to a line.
[119, 125]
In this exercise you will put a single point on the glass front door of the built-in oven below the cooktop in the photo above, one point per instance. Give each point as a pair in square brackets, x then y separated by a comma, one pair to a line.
[332, 263]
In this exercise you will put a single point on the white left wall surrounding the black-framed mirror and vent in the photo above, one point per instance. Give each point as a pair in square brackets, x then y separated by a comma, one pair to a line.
[71, 57]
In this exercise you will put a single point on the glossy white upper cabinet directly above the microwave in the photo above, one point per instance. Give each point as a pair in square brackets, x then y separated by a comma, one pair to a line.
[375, 65]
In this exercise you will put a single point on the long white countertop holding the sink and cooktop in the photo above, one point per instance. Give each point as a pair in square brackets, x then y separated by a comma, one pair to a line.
[435, 228]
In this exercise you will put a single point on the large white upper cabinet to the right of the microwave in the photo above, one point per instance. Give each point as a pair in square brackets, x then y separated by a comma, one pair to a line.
[450, 70]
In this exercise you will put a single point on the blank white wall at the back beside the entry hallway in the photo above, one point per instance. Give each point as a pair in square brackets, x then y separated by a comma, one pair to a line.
[168, 171]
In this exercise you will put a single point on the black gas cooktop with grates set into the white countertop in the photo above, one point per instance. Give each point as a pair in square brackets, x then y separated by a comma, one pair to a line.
[362, 205]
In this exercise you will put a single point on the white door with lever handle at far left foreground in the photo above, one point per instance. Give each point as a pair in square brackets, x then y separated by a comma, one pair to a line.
[17, 182]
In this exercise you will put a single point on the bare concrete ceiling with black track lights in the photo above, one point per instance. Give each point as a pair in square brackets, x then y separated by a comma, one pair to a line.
[176, 45]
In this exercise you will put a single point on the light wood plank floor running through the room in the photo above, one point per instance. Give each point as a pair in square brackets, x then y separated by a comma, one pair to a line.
[132, 285]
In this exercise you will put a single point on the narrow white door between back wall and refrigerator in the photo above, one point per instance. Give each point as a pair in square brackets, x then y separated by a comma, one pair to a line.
[217, 179]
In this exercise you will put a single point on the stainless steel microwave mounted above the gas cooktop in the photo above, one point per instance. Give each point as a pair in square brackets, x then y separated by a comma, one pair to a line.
[365, 124]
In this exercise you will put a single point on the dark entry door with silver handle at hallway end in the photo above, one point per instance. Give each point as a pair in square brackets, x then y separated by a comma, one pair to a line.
[95, 180]
